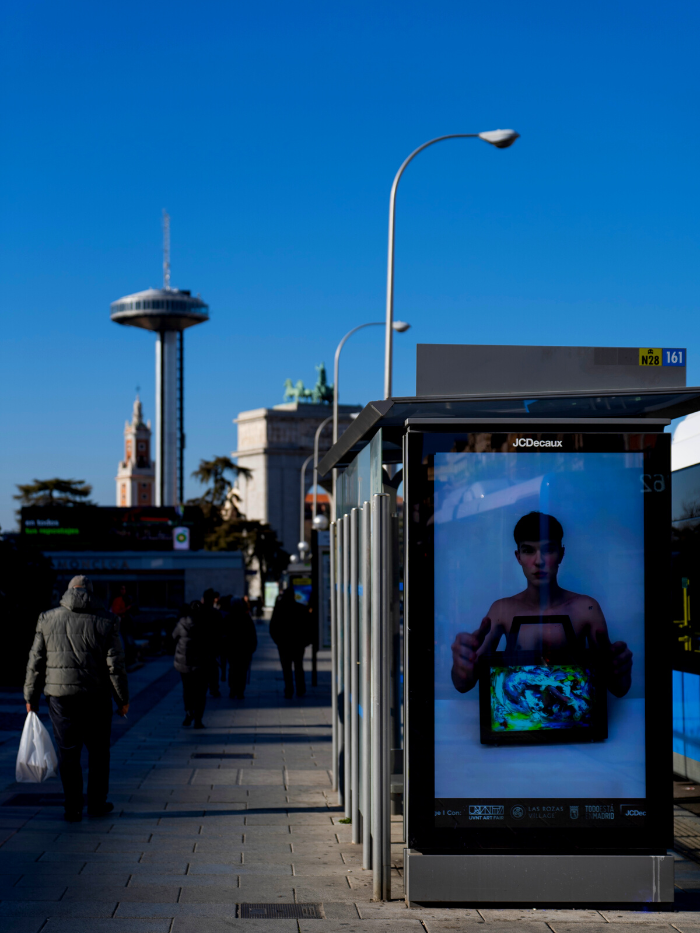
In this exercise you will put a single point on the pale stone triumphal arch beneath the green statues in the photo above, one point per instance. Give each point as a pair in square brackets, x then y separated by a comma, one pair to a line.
[273, 443]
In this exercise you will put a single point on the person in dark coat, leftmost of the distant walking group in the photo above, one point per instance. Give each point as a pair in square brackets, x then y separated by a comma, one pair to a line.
[194, 655]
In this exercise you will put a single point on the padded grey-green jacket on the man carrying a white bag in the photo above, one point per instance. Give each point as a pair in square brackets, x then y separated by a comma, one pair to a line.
[76, 649]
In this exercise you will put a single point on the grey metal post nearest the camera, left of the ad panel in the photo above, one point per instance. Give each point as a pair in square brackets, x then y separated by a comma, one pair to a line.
[379, 805]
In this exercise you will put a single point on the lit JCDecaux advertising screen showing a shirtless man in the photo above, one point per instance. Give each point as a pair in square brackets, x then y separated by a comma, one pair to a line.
[547, 569]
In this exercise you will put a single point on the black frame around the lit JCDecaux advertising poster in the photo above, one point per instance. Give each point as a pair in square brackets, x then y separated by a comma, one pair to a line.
[645, 828]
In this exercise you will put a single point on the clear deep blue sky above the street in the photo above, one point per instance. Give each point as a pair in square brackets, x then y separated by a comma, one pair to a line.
[271, 131]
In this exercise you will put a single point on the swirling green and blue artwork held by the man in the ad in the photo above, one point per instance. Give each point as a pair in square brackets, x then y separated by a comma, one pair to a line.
[532, 697]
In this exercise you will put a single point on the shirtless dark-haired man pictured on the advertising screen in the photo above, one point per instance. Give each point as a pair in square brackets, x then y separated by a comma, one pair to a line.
[540, 551]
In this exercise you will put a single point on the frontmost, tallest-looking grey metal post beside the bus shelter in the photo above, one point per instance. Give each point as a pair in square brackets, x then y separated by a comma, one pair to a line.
[381, 780]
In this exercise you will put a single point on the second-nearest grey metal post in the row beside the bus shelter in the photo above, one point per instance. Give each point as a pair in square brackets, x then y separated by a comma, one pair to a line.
[366, 674]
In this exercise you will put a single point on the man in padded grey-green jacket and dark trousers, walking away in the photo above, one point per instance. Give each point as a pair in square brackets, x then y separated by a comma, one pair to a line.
[78, 663]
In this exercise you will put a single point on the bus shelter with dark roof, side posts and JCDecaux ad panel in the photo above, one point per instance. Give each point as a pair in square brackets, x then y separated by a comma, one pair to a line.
[501, 643]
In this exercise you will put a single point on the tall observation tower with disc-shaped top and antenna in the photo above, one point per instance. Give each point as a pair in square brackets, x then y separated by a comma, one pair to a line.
[168, 312]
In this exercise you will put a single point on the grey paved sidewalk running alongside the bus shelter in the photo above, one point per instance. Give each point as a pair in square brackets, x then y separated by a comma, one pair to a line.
[207, 822]
